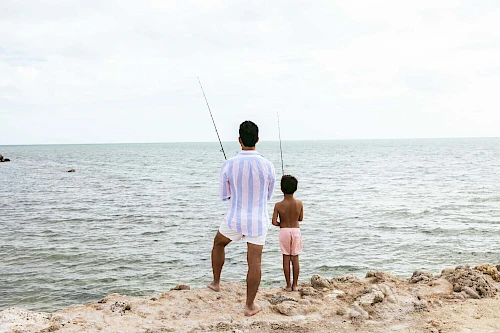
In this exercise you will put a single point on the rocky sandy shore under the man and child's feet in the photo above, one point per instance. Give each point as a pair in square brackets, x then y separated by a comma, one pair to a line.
[459, 300]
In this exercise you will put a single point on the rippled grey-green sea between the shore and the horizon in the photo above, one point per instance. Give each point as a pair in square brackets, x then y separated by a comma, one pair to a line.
[137, 219]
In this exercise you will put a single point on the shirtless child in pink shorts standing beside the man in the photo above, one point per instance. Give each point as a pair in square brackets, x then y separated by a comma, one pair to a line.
[290, 212]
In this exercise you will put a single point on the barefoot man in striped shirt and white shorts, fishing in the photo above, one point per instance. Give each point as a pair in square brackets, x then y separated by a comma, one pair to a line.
[247, 181]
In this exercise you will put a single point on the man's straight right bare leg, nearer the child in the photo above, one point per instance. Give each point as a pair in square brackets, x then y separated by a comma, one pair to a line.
[254, 257]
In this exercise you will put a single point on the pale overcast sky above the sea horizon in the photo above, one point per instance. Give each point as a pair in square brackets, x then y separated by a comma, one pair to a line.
[126, 71]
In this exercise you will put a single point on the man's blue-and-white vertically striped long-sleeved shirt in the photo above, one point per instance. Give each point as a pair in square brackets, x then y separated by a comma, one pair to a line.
[247, 181]
